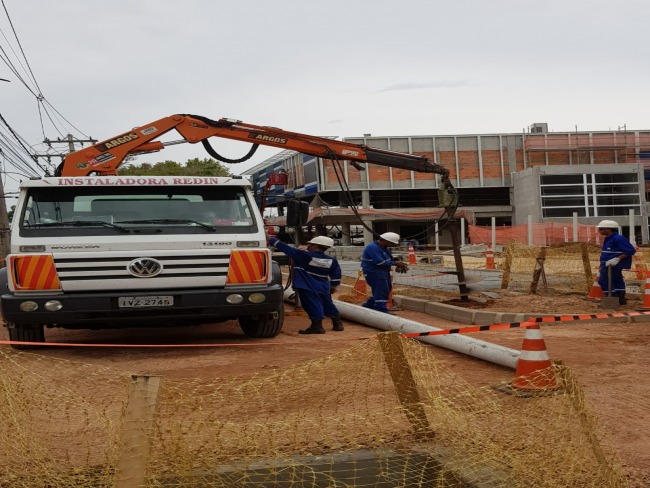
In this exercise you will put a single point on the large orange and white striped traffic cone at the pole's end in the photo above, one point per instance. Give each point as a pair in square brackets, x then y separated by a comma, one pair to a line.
[534, 368]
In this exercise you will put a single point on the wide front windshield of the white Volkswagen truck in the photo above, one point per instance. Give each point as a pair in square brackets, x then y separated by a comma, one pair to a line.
[178, 209]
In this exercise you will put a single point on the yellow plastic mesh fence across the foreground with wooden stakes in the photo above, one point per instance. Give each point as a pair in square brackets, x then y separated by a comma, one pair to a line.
[384, 413]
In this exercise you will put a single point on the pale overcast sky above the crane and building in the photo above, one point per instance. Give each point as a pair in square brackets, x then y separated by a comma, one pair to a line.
[332, 68]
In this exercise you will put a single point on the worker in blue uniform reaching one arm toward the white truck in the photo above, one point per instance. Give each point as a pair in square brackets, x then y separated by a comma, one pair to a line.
[315, 278]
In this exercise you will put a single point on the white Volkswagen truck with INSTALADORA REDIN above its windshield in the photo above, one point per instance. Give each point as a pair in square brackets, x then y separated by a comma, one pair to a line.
[117, 251]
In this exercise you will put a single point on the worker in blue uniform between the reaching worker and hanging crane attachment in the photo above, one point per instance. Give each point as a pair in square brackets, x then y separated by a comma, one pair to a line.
[376, 263]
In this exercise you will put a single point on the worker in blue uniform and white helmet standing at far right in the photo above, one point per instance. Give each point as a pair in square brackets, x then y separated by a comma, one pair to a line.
[616, 254]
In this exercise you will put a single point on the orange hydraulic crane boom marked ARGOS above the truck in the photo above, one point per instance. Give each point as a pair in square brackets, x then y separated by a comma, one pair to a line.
[107, 156]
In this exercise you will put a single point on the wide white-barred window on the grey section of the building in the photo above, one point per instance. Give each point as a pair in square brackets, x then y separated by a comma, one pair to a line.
[590, 195]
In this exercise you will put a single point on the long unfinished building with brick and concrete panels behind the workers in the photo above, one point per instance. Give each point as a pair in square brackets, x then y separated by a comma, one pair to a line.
[507, 179]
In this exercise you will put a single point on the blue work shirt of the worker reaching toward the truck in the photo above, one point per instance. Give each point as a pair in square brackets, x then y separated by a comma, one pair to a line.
[312, 270]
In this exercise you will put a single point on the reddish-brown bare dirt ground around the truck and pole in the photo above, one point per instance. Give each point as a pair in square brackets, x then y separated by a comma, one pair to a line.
[609, 358]
